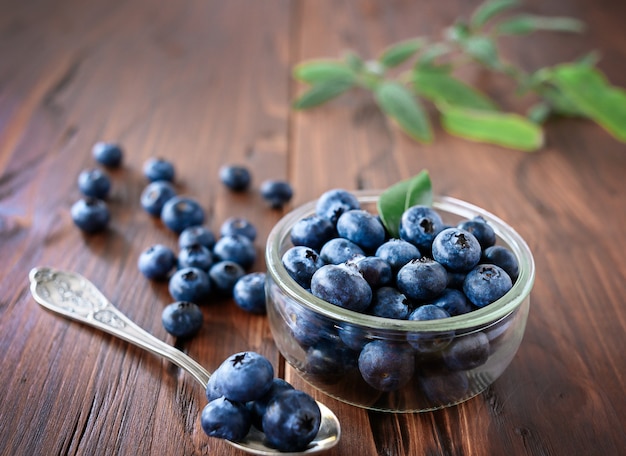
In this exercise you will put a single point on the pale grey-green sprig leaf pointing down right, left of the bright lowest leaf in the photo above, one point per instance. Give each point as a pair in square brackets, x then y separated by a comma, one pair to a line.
[400, 104]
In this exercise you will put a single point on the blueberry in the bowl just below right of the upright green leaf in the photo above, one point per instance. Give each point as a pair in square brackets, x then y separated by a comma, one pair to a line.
[419, 225]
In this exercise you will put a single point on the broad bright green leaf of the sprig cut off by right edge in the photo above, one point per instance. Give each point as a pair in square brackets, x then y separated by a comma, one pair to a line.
[588, 89]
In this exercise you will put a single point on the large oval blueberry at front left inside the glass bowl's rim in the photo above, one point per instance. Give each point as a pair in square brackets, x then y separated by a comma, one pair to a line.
[342, 286]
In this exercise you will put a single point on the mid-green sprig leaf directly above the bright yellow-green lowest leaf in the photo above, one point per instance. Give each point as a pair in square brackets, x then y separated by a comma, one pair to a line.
[439, 86]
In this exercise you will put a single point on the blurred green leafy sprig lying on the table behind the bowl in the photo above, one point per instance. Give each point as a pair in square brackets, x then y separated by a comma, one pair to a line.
[576, 88]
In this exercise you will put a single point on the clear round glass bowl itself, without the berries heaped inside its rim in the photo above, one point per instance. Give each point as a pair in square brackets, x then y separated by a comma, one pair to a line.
[449, 360]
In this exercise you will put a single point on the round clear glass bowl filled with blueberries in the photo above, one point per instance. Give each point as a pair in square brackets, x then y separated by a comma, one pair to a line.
[410, 313]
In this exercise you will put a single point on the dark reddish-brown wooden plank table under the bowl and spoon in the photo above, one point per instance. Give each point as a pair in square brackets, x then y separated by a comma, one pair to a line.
[205, 83]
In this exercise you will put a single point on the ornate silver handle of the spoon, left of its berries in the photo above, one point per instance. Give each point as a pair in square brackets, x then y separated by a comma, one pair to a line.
[75, 297]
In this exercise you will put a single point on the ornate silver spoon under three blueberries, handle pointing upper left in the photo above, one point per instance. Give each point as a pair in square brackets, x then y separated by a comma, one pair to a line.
[75, 297]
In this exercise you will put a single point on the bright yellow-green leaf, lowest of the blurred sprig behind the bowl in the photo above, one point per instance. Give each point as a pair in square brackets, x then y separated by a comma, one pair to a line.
[508, 130]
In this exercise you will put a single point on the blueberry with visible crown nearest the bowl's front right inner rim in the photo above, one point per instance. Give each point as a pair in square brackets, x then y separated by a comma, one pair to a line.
[485, 284]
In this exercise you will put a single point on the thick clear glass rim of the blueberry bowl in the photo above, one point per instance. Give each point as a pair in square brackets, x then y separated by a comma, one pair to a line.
[478, 318]
